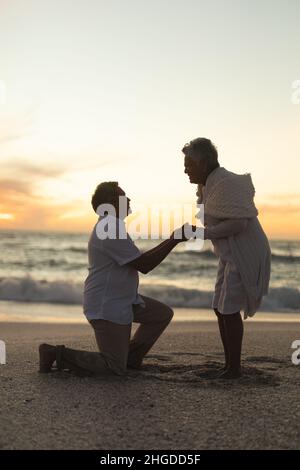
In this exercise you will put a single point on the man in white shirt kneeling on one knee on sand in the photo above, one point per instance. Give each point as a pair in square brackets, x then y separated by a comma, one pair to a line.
[111, 299]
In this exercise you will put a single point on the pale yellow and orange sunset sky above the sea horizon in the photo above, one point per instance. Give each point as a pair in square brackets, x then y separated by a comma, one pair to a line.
[95, 90]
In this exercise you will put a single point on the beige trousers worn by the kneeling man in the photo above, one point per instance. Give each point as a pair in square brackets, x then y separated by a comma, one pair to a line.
[117, 350]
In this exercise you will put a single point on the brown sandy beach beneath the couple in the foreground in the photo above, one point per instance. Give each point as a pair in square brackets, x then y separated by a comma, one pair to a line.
[172, 403]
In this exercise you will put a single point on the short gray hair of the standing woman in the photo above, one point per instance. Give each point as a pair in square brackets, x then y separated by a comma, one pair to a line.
[202, 148]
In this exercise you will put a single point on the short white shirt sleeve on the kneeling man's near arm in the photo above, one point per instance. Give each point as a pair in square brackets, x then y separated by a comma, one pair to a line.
[122, 251]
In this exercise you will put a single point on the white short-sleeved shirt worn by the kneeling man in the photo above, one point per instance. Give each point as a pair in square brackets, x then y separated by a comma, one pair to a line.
[111, 287]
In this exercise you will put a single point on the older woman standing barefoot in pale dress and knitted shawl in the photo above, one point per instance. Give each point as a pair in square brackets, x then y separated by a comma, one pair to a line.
[230, 219]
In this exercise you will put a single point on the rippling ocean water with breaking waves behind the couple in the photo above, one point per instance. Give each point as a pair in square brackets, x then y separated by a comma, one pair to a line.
[50, 268]
